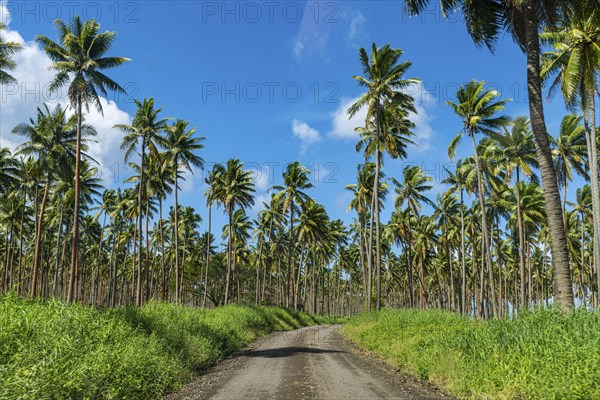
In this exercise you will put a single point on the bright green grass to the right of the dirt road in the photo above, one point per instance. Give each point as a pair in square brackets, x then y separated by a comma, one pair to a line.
[539, 355]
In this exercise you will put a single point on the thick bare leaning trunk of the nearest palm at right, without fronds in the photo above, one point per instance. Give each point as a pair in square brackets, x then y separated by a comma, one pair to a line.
[563, 289]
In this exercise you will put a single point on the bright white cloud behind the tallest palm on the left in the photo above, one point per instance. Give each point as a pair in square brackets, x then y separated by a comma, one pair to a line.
[19, 102]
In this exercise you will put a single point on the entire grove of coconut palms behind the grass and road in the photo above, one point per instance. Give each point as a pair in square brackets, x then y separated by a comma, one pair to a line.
[501, 237]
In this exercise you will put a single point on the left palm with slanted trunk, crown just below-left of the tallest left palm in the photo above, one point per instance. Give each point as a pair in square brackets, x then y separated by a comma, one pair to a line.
[52, 140]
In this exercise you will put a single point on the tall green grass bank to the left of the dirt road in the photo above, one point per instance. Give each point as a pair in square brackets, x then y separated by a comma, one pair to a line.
[55, 351]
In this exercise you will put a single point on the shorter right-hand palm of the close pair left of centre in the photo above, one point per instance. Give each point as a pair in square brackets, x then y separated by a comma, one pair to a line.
[181, 145]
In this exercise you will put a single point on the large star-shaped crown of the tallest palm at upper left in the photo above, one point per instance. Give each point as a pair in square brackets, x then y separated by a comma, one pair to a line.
[78, 58]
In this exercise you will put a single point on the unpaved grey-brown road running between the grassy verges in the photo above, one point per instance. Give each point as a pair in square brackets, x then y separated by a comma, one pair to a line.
[308, 363]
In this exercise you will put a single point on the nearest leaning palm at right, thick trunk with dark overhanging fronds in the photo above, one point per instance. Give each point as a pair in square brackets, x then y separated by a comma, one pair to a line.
[486, 20]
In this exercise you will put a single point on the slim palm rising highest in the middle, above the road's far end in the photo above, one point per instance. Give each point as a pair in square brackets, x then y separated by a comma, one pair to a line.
[295, 181]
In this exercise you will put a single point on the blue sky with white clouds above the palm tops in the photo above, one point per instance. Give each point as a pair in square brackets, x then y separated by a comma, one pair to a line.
[269, 82]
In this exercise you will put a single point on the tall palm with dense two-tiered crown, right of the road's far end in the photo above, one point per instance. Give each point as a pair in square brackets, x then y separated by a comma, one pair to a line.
[386, 122]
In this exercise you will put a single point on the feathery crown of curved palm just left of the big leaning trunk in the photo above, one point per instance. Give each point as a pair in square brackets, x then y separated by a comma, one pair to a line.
[478, 108]
